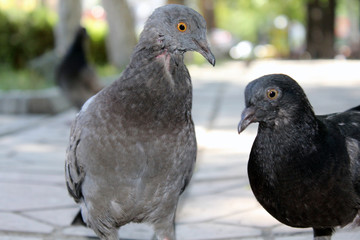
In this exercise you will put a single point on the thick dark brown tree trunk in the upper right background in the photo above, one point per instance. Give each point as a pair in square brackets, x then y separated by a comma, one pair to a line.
[320, 28]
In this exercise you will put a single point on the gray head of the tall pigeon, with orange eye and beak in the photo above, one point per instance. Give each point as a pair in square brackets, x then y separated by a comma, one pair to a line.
[177, 29]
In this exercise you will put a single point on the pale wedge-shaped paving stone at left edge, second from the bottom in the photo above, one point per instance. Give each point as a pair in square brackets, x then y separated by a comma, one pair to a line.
[15, 223]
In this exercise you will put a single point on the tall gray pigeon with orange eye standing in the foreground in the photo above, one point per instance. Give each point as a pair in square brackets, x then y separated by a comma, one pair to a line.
[132, 146]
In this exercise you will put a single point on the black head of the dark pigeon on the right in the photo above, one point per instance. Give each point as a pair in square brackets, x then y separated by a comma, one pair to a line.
[274, 100]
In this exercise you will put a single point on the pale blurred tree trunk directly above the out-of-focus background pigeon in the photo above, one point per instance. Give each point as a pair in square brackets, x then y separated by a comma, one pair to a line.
[69, 20]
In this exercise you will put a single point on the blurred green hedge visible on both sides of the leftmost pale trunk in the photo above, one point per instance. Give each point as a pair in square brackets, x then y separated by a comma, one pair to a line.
[27, 35]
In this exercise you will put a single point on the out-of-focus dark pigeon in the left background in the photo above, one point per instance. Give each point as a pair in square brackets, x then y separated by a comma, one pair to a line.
[75, 77]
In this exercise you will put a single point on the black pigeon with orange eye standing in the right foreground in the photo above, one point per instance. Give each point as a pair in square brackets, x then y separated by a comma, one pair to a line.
[303, 169]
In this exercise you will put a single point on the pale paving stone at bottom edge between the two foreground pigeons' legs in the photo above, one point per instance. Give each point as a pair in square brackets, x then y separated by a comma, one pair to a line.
[209, 231]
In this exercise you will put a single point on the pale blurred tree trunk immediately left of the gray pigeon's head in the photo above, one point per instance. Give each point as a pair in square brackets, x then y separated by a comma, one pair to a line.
[121, 38]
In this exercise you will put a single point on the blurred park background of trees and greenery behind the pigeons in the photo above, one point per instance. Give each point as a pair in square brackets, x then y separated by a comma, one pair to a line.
[35, 34]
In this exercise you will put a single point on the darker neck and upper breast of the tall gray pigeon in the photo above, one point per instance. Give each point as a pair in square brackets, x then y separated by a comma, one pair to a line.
[161, 89]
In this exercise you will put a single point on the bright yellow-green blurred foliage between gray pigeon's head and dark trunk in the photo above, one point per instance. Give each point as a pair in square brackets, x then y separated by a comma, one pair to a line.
[253, 20]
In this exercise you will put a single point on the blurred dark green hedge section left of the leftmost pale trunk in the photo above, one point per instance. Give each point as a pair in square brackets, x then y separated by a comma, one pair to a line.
[25, 35]
